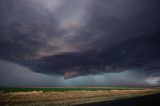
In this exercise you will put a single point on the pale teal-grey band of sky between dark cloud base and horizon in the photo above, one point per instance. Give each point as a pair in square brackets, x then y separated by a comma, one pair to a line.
[14, 75]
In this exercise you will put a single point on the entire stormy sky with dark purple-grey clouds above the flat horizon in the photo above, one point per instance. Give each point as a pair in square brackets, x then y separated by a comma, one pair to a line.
[70, 43]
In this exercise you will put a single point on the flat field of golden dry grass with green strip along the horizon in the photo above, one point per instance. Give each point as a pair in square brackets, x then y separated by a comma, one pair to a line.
[67, 96]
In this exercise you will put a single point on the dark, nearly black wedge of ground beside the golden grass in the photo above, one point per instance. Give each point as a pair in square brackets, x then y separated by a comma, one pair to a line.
[149, 100]
